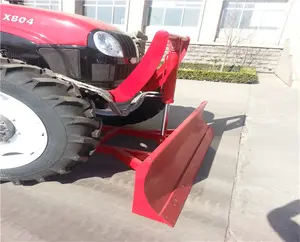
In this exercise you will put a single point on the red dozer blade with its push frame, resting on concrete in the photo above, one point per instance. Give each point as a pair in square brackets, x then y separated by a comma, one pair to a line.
[164, 177]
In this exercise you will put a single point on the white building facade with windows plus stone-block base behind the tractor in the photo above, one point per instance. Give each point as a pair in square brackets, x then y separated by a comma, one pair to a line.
[259, 24]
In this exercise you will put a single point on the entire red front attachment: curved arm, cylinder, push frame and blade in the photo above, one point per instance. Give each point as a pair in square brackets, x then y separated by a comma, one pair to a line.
[164, 177]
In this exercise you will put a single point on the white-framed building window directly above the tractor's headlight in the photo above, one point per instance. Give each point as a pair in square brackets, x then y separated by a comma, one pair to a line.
[108, 11]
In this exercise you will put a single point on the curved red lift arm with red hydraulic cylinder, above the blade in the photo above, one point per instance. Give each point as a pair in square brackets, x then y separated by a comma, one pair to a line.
[147, 77]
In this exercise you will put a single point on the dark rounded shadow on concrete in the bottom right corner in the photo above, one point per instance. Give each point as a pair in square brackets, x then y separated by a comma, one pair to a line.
[281, 221]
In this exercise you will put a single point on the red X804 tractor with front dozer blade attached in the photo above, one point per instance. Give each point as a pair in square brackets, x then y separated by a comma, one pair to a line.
[69, 82]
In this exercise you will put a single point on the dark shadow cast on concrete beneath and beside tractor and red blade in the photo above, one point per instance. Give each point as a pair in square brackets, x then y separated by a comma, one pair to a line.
[105, 166]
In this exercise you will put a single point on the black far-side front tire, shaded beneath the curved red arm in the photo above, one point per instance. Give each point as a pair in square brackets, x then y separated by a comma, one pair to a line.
[149, 109]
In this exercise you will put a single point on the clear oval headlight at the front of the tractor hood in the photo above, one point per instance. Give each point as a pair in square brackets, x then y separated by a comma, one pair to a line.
[107, 44]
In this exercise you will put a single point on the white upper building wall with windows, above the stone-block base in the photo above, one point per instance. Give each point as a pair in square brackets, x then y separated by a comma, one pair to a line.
[260, 22]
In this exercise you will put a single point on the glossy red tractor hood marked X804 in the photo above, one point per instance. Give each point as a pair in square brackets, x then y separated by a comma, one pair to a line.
[48, 27]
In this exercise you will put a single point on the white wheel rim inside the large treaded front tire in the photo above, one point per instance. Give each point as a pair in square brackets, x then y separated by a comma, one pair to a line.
[30, 137]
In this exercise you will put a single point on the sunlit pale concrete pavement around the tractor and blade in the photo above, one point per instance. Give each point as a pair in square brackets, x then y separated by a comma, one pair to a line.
[246, 190]
